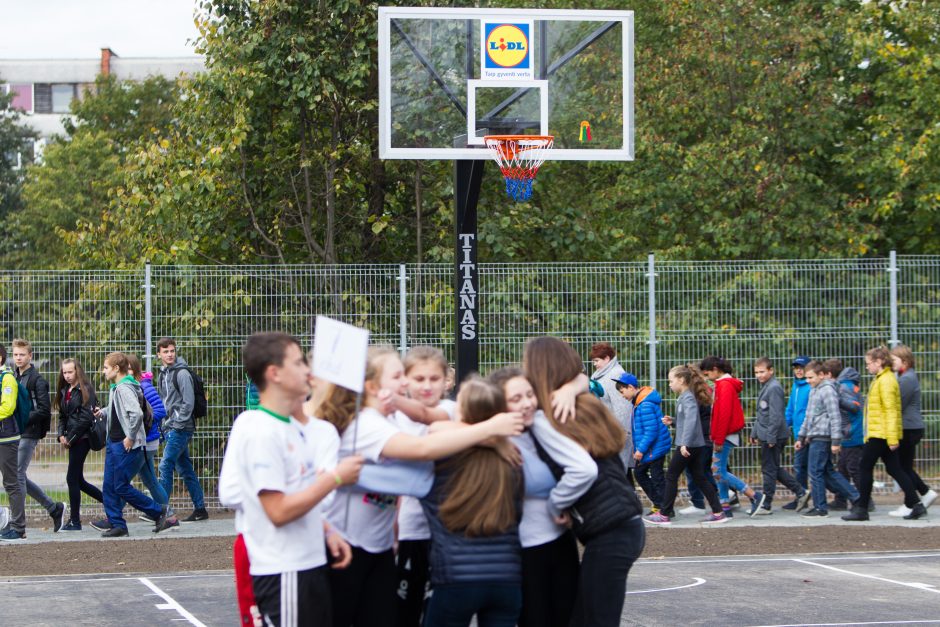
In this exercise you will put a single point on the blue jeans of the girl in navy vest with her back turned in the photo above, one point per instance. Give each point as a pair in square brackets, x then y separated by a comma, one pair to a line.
[495, 605]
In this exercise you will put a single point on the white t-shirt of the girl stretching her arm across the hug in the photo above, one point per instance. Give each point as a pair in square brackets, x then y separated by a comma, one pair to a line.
[370, 524]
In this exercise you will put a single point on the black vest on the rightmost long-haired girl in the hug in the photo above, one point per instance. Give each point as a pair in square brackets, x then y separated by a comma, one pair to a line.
[609, 502]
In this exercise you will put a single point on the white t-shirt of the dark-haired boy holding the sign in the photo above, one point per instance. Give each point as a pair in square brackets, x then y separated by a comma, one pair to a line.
[269, 452]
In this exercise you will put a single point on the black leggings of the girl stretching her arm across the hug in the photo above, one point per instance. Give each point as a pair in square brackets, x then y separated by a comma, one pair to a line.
[363, 593]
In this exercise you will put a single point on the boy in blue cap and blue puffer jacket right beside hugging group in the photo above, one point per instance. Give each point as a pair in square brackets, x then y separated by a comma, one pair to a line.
[651, 438]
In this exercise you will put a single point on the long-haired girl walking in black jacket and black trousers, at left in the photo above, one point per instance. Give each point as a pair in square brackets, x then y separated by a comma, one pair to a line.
[75, 401]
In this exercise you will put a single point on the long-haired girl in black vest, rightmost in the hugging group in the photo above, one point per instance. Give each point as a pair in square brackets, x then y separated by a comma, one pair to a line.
[603, 511]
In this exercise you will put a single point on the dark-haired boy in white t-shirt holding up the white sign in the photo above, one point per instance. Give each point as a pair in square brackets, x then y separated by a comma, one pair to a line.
[270, 475]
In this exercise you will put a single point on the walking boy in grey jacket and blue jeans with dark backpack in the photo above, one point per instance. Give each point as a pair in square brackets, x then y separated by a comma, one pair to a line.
[179, 398]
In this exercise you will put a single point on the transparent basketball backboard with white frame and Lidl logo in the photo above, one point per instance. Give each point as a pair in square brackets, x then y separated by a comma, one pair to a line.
[447, 77]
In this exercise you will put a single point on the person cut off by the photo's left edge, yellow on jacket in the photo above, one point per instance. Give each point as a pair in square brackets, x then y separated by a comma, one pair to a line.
[15, 529]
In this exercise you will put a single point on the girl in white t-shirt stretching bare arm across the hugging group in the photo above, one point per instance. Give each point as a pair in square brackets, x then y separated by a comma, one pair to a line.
[364, 593]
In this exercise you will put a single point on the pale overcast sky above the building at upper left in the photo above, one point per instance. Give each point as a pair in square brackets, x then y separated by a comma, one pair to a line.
[78, 29]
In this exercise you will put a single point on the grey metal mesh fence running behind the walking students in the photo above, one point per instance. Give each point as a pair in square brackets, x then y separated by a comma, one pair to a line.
[740, 310]
